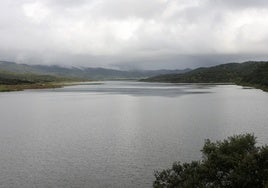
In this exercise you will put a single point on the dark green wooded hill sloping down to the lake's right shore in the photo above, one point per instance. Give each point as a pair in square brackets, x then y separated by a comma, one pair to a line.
[250, 73]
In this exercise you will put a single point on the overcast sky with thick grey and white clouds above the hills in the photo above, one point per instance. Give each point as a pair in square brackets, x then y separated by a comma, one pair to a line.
[134, 34]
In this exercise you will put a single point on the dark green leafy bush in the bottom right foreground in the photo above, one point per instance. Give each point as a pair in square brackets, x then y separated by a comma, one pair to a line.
[234, 162]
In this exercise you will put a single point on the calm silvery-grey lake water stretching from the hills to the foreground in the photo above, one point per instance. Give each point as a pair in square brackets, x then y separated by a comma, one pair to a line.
[115, 134]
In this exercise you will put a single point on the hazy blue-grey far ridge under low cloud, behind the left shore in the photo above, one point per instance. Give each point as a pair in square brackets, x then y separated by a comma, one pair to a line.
[82, 72]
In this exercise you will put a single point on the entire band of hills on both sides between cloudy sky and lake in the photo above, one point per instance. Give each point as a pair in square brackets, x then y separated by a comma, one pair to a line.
[249, 73]
